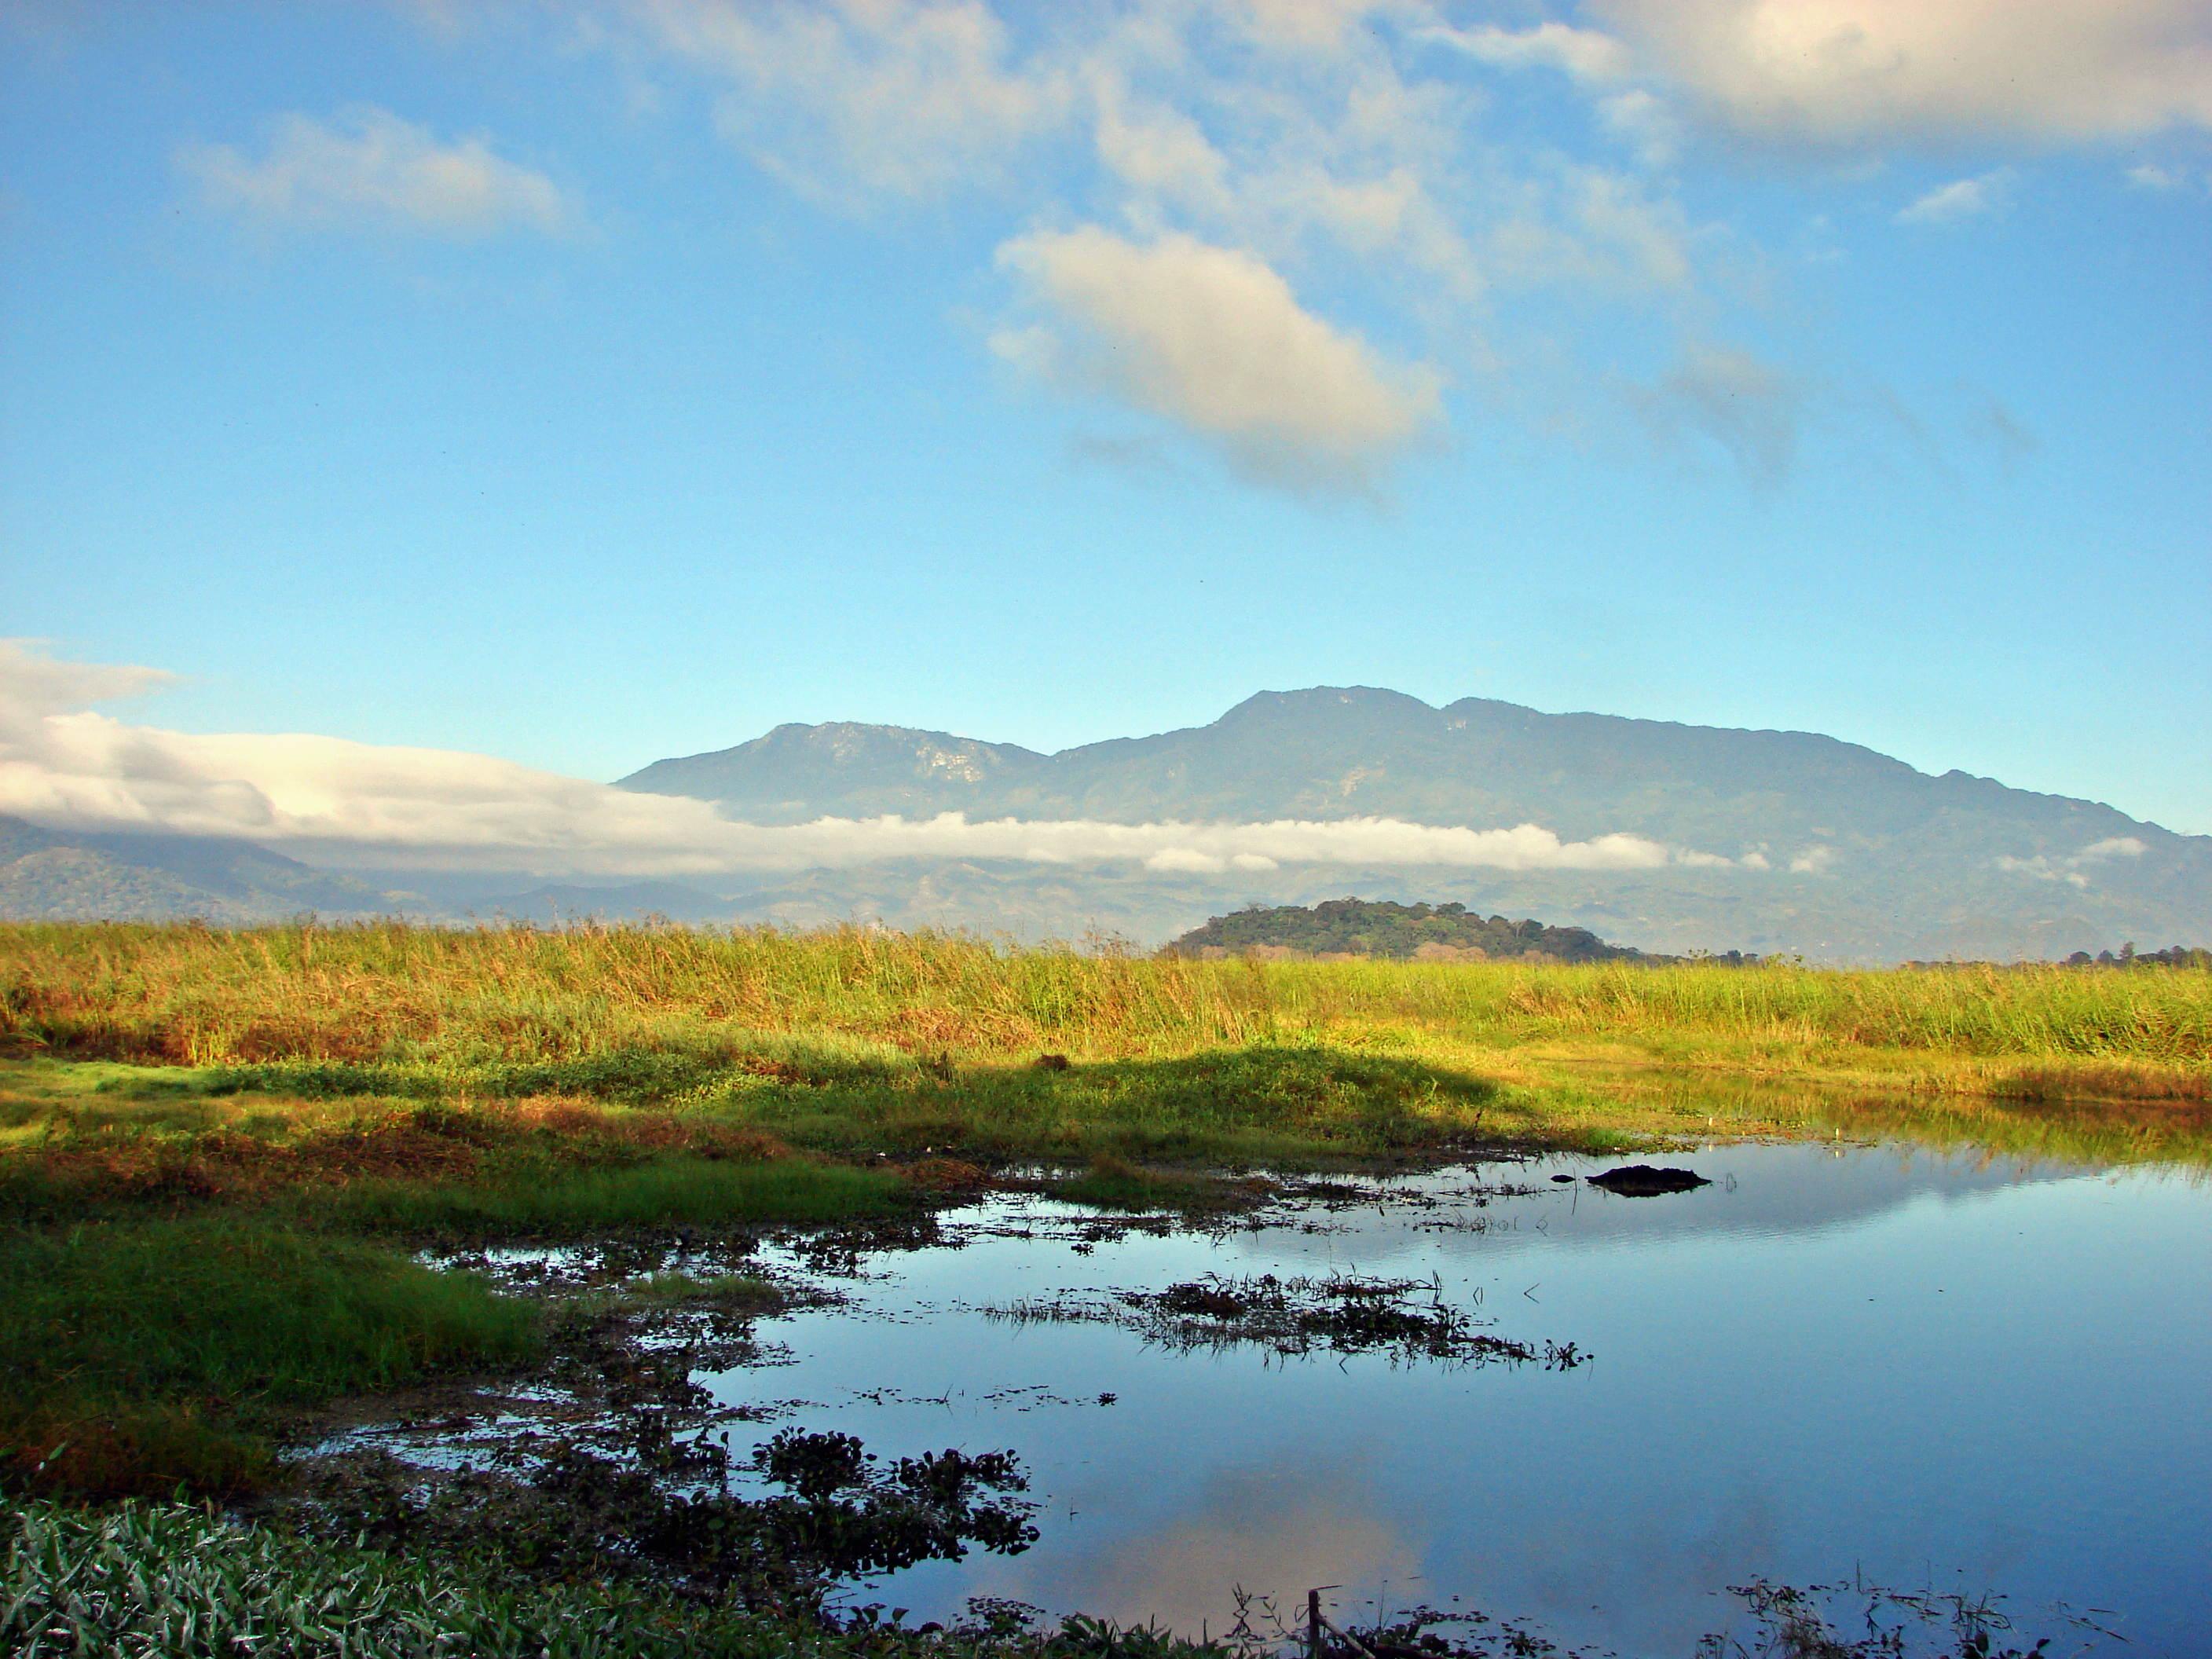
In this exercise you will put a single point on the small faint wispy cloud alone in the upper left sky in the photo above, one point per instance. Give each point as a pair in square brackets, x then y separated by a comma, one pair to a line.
[375, 171]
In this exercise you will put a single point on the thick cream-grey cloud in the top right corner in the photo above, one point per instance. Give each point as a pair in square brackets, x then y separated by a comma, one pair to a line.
[1870, 72]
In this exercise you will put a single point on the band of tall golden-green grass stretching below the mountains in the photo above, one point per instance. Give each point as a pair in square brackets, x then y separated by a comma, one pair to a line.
[525, 997]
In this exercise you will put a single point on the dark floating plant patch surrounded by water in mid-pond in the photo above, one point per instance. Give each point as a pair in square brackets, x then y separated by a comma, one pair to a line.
[1406, 1319]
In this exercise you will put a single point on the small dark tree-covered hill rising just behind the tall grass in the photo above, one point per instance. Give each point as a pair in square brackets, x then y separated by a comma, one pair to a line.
[1379, 928]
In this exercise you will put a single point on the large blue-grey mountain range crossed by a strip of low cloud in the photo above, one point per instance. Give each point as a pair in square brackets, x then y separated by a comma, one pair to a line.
[1866, 855]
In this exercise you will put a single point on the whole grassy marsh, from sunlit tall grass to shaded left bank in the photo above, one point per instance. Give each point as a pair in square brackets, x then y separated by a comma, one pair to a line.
[218, 1149]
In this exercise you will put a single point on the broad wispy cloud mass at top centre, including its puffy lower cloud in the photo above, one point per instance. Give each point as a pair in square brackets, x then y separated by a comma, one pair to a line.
[1293, 152]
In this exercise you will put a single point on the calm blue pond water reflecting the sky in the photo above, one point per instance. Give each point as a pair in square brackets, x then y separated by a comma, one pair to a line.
[1830, 1359]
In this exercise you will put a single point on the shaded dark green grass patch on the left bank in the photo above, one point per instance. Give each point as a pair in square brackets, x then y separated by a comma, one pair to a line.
[154, 1350]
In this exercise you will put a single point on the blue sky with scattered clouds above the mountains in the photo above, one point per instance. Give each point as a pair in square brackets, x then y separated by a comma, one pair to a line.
[587, 384]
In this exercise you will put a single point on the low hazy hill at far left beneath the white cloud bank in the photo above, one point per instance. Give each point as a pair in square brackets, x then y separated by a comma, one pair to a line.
[52, 875]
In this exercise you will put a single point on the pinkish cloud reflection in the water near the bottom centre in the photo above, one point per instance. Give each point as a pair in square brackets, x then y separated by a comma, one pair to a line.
[1277, 1530]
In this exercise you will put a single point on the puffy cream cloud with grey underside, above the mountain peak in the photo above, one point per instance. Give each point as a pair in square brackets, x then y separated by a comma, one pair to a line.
[1215, 342]
